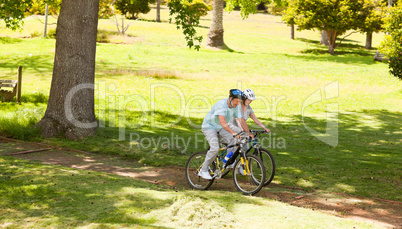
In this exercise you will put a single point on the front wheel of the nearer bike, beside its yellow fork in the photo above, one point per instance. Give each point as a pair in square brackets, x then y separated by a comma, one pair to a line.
[249, 177]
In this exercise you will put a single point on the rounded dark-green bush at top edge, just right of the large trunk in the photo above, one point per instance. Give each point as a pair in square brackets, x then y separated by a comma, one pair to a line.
[131, 8]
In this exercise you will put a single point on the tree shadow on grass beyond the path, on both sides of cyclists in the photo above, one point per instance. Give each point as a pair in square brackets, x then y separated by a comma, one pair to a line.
[365, 162]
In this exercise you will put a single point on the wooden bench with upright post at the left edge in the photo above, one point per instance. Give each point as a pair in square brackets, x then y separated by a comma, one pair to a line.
[11, 88]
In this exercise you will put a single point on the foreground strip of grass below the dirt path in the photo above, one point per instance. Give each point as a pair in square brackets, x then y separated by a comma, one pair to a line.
[34, 195]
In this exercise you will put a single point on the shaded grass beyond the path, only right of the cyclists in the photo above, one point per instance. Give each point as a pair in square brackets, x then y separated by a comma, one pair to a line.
[365, 162]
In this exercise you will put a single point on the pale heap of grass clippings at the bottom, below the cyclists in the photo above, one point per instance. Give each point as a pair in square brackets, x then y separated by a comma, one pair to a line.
[194, 212]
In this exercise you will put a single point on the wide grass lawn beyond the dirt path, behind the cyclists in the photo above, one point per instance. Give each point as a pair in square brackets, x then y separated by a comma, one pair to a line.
[284, 73]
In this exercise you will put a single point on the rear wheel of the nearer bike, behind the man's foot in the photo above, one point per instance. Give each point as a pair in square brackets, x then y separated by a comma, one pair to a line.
[193, 165]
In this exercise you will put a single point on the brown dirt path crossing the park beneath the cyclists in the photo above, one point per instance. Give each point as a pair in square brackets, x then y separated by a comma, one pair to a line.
[382, 213]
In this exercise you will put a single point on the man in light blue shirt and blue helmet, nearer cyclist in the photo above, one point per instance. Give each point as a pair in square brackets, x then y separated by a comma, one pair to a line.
[218, 123]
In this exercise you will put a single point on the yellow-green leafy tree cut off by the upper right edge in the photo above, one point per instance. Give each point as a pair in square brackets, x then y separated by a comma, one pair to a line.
[391, 46]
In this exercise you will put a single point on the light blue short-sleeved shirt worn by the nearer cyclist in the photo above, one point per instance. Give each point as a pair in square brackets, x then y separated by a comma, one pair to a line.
[211, 121]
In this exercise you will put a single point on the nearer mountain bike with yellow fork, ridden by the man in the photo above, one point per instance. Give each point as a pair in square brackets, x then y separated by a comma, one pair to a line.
[249, 175]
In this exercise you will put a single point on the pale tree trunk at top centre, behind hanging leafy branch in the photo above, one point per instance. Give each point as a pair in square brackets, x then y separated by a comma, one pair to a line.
[215, 34]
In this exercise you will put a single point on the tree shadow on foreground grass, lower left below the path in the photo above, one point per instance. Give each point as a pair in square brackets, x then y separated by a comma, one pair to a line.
[75, 198]
